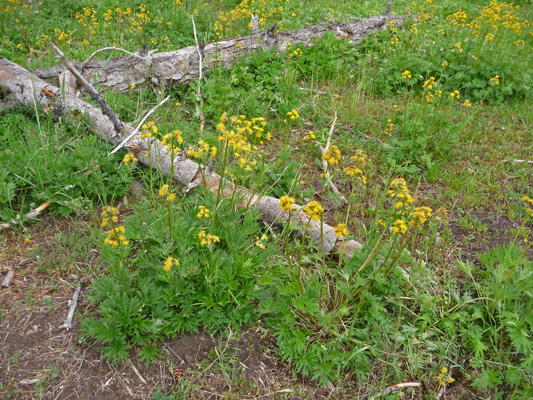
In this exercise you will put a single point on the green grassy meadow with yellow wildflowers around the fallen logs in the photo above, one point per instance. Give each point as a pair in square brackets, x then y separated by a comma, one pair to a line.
[431, 151]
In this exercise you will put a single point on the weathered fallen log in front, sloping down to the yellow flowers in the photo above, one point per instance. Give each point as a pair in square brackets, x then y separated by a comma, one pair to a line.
[27, 89]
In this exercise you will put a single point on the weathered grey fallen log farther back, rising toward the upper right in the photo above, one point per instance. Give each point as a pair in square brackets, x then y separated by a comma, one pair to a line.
[184, 65]
